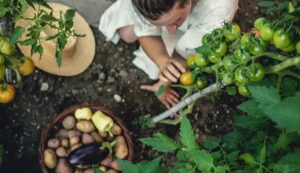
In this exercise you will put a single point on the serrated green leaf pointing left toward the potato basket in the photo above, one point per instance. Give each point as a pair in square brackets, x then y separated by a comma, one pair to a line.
[160, 142]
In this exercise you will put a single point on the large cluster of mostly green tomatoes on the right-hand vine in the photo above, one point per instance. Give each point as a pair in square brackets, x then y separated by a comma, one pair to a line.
[230, 55]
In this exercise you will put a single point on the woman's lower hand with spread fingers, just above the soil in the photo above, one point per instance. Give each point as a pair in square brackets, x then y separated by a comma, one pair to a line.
[169, 98]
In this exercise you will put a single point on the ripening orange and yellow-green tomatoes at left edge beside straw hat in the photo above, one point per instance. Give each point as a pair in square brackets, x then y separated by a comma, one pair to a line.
[9, 61]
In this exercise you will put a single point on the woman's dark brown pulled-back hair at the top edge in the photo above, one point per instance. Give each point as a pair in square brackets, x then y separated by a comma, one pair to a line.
[154, 9]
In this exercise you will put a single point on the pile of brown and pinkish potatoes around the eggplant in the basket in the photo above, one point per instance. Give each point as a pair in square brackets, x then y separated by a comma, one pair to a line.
[75, 131]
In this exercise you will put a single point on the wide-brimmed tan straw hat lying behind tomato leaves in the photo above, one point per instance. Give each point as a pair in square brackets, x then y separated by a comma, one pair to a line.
[78, 53]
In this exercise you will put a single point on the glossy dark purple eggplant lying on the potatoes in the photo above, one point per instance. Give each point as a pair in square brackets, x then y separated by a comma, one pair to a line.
[87, 155]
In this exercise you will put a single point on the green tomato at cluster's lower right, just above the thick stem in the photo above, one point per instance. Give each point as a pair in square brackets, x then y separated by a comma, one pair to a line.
[256, 72]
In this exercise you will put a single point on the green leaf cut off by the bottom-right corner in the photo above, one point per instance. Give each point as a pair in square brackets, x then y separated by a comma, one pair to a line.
[289, 163]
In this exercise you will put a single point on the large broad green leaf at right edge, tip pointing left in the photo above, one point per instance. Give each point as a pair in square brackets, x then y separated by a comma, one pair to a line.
[286, 113]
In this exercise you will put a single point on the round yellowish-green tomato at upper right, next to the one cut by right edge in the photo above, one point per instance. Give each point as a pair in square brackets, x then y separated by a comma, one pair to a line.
[281, 39]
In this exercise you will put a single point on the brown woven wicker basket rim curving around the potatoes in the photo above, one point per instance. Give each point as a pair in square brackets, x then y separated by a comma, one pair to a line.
[55, 125]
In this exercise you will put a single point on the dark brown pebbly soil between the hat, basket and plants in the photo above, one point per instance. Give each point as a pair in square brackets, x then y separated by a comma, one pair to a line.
[113, 81]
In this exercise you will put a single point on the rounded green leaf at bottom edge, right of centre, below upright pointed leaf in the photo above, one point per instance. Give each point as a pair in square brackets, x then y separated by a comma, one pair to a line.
[202, 158]
